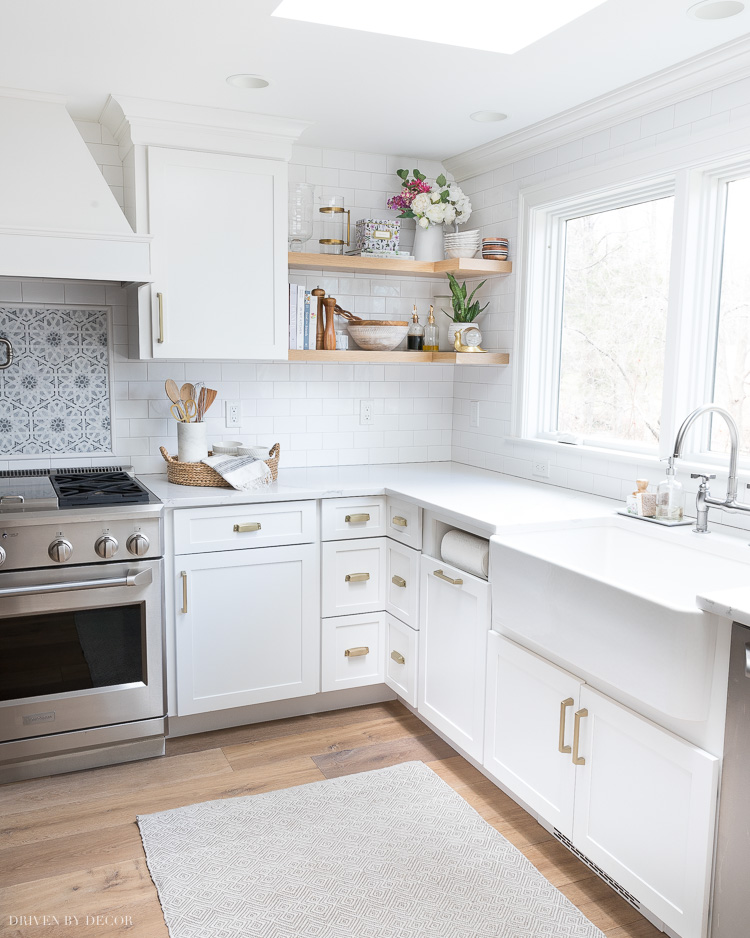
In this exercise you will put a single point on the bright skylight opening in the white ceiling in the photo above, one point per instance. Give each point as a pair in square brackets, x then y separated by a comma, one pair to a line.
[500, 26]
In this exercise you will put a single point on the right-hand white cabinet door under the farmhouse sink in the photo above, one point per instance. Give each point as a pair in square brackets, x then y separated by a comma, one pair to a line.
[645, 807]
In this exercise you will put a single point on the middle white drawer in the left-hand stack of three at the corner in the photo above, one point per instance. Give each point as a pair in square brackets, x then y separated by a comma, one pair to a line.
[353, 576]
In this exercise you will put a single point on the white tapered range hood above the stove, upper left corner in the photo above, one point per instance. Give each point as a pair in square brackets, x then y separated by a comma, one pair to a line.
[58, 217]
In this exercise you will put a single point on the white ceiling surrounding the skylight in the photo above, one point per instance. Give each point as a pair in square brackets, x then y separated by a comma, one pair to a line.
[363, 92]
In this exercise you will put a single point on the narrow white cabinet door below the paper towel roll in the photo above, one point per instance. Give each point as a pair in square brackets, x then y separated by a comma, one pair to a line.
[454, 621]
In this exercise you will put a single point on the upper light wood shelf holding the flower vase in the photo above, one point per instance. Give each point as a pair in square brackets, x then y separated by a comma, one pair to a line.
[458, 266]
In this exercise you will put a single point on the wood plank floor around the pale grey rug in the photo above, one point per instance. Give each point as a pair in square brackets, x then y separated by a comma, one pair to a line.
[70, 845]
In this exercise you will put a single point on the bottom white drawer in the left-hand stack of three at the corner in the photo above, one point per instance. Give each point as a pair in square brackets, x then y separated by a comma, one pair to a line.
[352, 650]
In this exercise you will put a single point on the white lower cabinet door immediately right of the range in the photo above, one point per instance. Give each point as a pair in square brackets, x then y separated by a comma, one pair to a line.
[247, 627]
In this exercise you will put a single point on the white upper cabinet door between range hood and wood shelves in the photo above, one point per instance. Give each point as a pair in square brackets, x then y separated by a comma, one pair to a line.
[219, 256]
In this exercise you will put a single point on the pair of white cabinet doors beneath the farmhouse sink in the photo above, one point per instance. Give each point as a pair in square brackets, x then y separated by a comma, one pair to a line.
[634, 798]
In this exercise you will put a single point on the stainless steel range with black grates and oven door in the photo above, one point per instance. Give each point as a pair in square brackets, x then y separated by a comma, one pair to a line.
[81, 657]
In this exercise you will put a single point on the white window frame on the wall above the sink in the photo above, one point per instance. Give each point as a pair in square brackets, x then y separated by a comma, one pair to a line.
[699, 190]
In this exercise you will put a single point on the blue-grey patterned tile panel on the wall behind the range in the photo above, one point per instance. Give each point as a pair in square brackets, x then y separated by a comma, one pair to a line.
[55, 395]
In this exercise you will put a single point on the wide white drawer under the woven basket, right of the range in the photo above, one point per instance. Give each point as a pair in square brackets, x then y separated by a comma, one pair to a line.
[235, 527]
